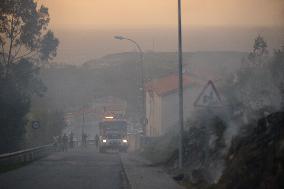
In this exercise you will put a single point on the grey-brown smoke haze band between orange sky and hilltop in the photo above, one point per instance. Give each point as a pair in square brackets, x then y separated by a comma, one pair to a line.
[80, 45]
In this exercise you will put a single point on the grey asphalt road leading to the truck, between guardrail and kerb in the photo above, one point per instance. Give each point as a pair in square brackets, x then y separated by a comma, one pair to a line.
[78, 169]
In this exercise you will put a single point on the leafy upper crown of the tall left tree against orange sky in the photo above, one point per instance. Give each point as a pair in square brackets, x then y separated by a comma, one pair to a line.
[24, 33]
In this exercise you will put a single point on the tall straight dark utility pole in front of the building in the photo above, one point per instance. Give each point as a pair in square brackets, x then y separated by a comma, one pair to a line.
[180, 60]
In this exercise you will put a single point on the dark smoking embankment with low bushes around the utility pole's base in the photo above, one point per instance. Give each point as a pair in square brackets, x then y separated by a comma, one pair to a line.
[254, 160]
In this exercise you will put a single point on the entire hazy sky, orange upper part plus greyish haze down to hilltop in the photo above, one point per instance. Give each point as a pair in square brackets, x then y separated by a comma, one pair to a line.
[86, 28]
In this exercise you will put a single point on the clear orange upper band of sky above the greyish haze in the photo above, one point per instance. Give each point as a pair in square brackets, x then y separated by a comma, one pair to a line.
[102, 14]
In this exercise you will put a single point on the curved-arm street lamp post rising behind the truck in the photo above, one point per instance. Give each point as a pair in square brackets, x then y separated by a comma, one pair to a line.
[141, 57]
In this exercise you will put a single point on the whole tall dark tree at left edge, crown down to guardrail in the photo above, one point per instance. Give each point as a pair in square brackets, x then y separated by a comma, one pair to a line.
[25, 44]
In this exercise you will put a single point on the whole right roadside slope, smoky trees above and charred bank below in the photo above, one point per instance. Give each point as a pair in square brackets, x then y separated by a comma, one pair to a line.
[241, 145]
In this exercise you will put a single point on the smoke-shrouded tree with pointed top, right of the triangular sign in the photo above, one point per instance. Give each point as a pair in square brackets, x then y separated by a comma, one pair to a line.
[253, 92]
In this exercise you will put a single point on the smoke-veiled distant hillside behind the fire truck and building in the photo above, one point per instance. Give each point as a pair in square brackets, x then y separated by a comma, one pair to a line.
[71, 87]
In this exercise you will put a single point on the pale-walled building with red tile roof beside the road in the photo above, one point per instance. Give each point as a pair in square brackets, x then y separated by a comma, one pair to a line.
[162, 102]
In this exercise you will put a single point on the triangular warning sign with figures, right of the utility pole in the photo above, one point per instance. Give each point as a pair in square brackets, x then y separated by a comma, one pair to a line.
[209, 97]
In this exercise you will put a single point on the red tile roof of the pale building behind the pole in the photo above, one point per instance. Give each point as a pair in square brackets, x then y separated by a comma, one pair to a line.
[166, 85]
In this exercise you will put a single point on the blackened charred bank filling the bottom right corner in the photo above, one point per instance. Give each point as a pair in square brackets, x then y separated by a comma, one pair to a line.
[256, 159]
